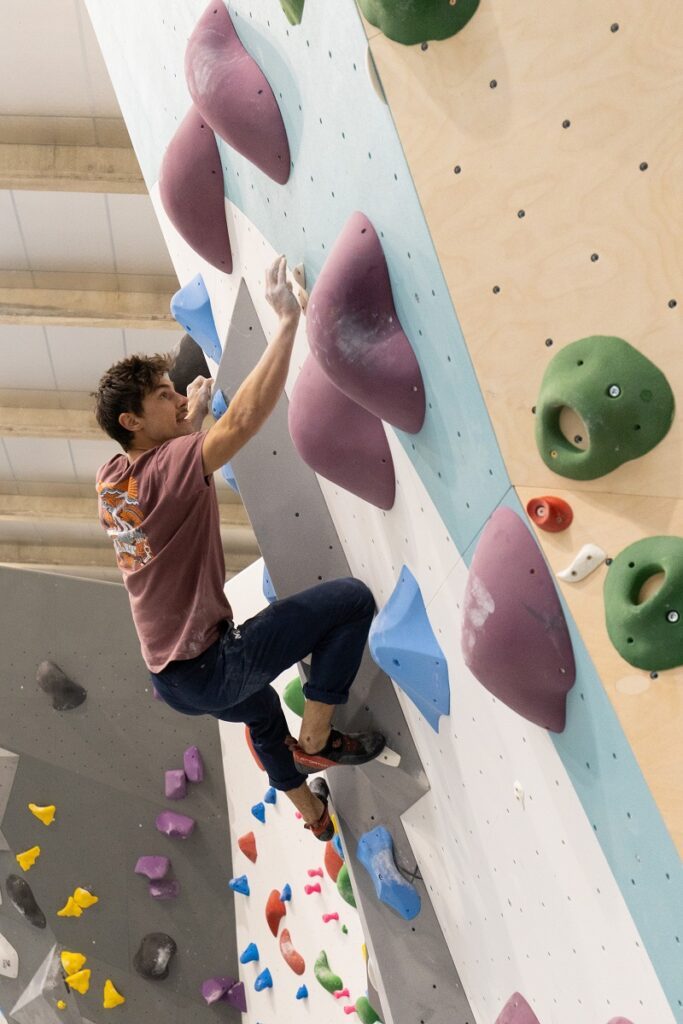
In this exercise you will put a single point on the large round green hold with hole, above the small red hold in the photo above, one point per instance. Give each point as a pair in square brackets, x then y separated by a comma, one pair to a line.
[624, 400]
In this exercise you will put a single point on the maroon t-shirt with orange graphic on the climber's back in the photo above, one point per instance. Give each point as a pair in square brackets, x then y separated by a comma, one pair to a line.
[162, 515]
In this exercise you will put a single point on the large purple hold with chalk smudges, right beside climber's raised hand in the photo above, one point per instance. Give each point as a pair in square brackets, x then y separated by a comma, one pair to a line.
[355, 332]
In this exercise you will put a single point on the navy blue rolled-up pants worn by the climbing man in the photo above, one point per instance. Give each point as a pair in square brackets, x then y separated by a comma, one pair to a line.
[232, 679]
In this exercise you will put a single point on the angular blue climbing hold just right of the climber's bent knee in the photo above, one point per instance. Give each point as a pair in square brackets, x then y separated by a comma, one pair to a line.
[403, 644]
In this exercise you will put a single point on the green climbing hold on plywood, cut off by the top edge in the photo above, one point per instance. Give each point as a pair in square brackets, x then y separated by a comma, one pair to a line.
[418, 21]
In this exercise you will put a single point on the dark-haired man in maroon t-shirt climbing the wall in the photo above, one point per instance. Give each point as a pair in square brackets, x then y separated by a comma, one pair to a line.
[158, 503]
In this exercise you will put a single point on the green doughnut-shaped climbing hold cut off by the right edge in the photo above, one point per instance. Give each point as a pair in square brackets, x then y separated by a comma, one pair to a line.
[648, 630]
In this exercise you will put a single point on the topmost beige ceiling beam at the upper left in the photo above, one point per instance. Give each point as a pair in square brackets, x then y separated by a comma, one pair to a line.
[71, 168]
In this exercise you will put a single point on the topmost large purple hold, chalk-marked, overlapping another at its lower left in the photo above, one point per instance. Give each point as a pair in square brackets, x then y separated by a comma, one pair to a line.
[234, 96]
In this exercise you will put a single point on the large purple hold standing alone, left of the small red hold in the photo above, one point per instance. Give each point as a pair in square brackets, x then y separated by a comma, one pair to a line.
[516, 639]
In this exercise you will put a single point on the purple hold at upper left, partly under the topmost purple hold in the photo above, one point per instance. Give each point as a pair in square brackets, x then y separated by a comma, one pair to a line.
[191, 185]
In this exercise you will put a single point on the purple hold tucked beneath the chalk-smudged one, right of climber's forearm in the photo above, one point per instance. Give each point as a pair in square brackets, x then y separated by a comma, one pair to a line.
[340, 440]
